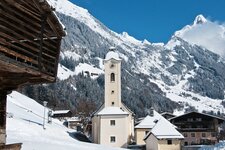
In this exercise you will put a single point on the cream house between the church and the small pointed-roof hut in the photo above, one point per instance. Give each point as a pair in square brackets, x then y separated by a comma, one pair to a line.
[145, 126]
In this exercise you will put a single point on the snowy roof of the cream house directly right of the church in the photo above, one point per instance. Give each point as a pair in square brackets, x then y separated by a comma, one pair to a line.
[149, 121]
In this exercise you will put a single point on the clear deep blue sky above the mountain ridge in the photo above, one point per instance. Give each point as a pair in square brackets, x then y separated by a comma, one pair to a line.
[154, 20]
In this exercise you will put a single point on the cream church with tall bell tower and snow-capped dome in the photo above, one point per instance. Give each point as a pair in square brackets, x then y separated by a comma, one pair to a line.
[113, 122]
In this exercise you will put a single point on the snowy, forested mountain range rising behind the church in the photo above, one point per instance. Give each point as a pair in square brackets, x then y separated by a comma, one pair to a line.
[186, 73]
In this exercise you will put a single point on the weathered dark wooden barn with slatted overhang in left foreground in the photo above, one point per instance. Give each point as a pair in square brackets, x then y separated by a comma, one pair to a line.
[30, 38]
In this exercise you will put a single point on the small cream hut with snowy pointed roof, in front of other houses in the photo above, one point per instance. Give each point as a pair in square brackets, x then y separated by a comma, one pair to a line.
[163, 136]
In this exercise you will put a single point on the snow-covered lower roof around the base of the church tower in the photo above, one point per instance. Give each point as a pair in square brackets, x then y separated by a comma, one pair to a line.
[112, 111]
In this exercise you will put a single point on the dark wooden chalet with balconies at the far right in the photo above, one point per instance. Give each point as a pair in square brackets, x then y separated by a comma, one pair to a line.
[198, 128]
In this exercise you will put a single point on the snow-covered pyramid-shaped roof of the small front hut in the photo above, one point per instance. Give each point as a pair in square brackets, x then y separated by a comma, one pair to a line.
[164, 130]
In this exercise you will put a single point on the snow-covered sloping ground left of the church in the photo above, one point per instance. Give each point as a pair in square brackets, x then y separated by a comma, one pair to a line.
[25, 124]
